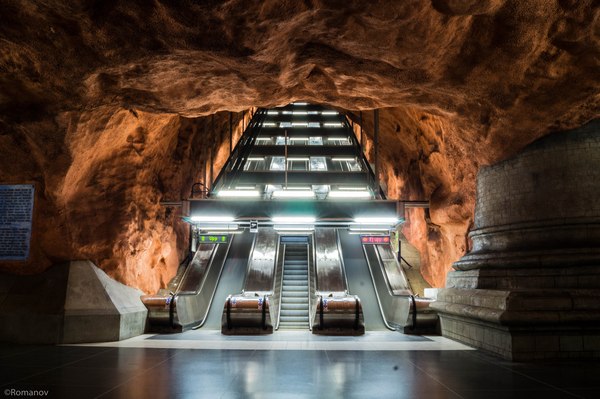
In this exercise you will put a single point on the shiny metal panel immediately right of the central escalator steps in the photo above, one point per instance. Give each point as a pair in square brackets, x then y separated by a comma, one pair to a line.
[330, 275]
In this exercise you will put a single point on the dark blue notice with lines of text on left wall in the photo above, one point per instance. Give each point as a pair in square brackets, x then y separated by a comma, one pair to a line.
[16, 215]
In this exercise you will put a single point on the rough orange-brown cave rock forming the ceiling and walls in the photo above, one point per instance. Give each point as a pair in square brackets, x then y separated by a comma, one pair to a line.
[104, 105]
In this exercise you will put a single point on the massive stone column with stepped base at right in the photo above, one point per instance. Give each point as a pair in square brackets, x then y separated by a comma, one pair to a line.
[530, 288]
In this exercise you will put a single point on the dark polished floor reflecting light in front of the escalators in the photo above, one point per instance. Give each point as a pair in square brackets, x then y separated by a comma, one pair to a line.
[284, 365]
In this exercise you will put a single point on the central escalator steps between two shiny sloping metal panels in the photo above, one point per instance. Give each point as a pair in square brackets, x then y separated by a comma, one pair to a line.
[294, 313]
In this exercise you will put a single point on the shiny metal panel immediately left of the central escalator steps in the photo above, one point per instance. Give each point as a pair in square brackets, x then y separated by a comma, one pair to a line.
[261, 268]
